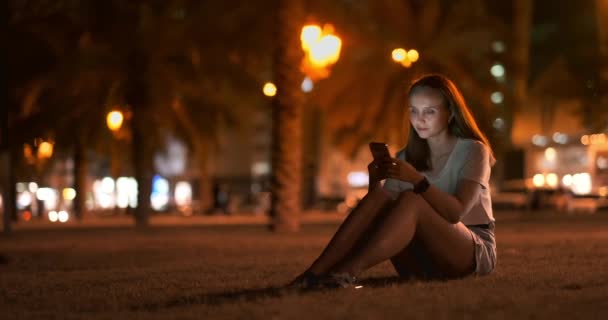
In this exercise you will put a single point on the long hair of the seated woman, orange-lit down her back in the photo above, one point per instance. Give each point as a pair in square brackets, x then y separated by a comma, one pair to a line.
[462, 125]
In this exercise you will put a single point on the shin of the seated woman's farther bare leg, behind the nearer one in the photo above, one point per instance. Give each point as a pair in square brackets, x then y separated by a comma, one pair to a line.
[351, 230]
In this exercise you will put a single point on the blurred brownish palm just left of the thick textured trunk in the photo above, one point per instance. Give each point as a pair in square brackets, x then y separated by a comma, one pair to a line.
[209, 76]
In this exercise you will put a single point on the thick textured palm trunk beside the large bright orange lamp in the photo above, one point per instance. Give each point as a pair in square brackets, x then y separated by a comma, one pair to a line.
[287, 119]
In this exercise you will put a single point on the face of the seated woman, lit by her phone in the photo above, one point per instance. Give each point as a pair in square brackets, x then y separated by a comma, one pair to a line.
[429, 114]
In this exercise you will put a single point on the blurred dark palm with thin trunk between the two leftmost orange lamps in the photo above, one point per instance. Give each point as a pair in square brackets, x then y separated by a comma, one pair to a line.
[65, 105]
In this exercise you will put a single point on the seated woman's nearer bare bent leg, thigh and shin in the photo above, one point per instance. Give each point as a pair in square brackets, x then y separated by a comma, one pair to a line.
[450, 245]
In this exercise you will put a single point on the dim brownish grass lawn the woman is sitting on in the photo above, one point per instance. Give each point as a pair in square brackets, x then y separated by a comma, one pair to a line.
[550, 267]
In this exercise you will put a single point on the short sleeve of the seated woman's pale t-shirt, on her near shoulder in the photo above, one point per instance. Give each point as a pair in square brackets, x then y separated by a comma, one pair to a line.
[477, 164]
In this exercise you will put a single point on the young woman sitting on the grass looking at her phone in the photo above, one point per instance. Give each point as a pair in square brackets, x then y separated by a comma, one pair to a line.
[428, 209]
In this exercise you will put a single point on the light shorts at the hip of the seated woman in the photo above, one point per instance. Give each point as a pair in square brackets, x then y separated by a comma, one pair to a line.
[485, 249]
